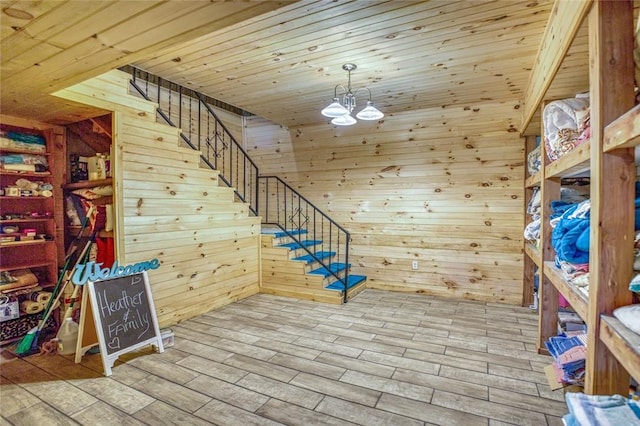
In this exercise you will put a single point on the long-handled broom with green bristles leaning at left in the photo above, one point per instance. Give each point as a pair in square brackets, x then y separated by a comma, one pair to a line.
[29, 342]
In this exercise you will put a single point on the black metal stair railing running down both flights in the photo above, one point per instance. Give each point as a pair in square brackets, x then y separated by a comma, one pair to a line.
[283, 206]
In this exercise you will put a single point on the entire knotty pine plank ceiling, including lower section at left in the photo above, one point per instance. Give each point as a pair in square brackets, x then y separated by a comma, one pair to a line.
[282, 60]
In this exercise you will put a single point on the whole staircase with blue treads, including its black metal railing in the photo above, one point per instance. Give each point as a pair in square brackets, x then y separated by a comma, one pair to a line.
[305, 254]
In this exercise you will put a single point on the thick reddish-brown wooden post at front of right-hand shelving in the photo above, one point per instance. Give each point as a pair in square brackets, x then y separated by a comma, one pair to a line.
[612, 187]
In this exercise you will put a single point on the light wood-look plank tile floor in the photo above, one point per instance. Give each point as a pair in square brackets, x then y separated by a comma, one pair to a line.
[384, 358]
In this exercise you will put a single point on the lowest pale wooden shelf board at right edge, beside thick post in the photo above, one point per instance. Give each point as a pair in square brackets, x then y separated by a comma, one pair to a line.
[623, 343]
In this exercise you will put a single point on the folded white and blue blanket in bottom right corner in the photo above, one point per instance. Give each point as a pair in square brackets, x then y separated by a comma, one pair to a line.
[601, 410]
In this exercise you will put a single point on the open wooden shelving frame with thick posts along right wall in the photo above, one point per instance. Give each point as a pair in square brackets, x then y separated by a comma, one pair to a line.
[613, 350]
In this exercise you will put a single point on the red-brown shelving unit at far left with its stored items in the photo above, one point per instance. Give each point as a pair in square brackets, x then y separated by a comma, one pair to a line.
[28, 248]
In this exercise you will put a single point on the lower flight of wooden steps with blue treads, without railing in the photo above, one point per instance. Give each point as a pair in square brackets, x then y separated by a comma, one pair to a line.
[288, 270]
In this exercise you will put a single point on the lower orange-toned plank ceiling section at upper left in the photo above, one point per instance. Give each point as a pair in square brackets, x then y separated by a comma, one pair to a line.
[52, 44]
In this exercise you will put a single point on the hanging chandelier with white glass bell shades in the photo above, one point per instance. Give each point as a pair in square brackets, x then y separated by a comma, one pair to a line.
[341, 112]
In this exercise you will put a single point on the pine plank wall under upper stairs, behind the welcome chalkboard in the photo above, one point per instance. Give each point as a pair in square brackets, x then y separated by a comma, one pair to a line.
[171, 209]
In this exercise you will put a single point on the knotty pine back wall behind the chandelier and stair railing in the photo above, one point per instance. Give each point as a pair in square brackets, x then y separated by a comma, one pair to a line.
[442, 187]
